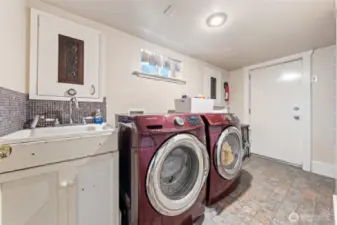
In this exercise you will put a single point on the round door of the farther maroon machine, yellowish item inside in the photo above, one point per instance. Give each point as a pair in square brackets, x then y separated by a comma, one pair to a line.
[228, 153]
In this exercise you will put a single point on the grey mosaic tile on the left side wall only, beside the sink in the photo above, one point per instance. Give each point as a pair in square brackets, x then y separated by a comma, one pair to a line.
[12, 111]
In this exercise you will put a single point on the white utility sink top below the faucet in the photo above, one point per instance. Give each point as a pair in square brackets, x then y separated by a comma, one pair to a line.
[60, 132]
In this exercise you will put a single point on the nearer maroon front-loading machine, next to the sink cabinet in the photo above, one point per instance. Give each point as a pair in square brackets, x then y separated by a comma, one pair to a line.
[164, 166]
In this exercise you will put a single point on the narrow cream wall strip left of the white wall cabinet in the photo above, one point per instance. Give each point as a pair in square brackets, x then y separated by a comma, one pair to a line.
[13, 45]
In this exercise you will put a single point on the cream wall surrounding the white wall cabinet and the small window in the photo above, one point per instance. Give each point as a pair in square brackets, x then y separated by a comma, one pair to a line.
[123, 90]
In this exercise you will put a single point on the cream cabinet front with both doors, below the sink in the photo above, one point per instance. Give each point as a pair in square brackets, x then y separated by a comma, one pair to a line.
[79, 192]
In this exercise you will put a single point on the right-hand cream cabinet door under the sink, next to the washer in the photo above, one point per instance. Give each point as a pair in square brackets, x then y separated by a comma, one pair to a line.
[93, 197]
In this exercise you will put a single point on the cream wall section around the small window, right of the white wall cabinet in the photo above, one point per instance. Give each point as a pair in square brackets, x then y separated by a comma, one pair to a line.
[125, 91]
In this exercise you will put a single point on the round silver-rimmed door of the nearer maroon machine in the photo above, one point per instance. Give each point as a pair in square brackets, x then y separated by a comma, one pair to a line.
[176, 174]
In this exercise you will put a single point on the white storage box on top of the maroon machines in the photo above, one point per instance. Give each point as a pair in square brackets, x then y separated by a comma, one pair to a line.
[193, 105]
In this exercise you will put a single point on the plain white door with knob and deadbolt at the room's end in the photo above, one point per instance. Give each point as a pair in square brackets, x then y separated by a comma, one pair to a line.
[276, 101]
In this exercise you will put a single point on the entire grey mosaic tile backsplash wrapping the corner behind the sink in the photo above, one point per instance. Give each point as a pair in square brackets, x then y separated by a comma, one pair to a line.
[17, 111]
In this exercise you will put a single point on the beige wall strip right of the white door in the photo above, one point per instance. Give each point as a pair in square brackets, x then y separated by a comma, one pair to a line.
[323, 105]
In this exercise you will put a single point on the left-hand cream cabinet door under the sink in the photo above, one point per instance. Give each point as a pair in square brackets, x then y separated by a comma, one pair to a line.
[30, 198]
